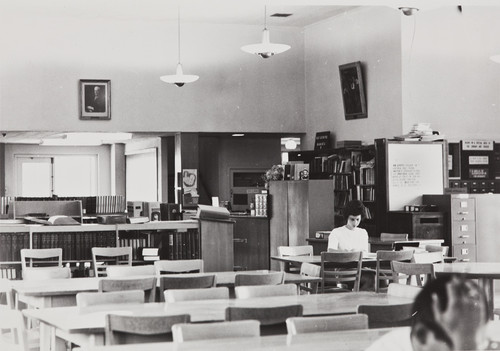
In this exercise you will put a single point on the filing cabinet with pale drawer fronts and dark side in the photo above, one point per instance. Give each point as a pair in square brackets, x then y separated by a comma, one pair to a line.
[460, 223]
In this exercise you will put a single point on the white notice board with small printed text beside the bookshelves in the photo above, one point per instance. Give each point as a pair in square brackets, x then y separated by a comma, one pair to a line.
[413, 169]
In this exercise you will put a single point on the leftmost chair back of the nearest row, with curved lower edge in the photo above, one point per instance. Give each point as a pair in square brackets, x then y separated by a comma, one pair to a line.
[120, 329]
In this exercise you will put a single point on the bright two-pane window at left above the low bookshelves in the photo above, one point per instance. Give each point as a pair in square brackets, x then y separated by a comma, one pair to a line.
[61, 175]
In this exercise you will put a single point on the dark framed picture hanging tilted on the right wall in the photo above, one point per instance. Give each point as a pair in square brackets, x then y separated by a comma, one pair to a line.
[353, 91]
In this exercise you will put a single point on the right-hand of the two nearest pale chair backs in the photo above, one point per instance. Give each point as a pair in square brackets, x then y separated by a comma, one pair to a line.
[302, 325]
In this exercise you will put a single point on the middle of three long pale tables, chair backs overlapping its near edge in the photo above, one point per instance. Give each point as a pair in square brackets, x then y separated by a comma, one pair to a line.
[87, 327]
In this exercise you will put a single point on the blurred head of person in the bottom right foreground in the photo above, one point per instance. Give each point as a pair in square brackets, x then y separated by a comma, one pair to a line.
[450, 313]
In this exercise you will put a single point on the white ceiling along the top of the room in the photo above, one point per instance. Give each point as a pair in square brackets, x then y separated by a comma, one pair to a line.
[251, 12]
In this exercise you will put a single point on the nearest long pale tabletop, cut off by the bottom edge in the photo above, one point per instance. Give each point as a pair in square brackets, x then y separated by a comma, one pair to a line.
[339, 340]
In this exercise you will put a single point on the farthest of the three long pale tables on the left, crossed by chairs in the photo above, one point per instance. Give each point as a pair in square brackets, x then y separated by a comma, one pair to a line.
[62, 292]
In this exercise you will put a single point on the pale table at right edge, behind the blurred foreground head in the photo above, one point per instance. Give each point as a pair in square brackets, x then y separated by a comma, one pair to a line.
[485, 272]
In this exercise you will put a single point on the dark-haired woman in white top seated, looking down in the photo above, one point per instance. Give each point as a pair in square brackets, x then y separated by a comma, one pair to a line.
[350, 237]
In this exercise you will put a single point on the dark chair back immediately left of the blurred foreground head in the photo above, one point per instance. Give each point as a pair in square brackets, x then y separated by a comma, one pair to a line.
[387, 316]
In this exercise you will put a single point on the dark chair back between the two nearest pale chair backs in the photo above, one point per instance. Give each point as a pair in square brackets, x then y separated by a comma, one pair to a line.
[272, 319]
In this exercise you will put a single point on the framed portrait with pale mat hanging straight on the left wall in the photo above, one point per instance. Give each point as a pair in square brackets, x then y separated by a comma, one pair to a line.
[95, 99]
